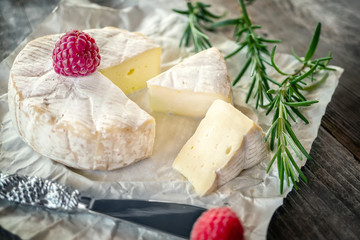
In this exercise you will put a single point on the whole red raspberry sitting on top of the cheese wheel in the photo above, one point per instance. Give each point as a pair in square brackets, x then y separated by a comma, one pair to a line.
[75, 54]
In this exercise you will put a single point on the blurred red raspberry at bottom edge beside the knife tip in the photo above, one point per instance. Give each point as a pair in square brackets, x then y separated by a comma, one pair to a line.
[218, 223]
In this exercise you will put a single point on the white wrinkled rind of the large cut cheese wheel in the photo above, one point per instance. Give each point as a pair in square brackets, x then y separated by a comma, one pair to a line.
[84, 122]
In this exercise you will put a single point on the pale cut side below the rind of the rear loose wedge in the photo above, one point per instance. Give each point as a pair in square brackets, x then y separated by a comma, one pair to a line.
[182, 102]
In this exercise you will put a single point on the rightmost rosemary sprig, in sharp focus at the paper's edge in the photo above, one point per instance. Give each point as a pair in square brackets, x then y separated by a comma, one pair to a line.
[287, 101]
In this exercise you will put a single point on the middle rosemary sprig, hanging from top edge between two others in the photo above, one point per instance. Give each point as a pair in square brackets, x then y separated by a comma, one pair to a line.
[245, 36]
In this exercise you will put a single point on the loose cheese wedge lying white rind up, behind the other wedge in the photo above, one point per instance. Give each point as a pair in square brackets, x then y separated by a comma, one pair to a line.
[190, 87]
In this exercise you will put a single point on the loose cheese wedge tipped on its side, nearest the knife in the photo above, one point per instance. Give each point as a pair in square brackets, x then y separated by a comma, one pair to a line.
[225, 143]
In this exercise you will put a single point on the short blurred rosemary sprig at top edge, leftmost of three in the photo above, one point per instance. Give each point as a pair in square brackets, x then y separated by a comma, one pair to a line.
[199, 17]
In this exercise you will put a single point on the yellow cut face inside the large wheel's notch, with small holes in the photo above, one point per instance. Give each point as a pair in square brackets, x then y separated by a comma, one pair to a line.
[132, 74]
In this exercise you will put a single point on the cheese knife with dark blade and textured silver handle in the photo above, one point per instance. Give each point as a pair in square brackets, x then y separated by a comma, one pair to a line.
[172, 218]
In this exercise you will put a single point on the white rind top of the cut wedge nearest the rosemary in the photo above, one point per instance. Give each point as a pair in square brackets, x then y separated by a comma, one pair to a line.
[207, 67]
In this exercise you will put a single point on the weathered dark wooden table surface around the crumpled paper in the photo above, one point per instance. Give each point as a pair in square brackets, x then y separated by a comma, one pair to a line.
[328, 207]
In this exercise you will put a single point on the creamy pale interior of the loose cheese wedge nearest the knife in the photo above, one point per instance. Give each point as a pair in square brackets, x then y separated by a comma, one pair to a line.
[216, 143]
